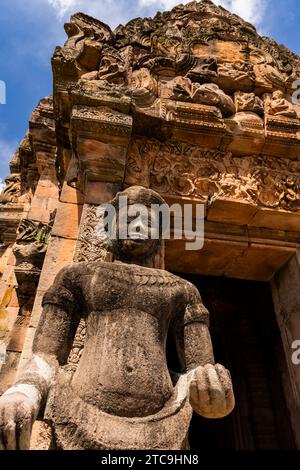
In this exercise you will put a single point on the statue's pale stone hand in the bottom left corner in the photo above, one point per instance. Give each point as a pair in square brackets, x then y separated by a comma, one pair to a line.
[17, 415]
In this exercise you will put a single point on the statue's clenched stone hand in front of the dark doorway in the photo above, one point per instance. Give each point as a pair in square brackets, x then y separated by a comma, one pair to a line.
[211, 392]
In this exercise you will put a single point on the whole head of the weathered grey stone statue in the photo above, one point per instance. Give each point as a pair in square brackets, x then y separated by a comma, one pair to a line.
[138, 245]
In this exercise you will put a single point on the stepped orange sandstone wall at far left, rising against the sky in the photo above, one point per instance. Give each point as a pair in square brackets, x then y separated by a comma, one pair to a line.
[33, 186]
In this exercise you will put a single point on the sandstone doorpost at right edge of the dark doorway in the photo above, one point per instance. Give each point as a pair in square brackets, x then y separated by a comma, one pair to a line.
[286, 298]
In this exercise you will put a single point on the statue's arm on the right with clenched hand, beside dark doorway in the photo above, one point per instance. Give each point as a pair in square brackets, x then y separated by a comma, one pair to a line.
[211, 392]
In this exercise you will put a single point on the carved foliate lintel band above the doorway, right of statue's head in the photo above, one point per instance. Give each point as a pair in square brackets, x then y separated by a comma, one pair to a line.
[187, 170]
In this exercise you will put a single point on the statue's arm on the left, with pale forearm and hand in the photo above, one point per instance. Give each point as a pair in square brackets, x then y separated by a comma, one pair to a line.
[20, 405]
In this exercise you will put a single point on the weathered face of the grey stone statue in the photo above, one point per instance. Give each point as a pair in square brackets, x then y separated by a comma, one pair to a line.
[139, 244]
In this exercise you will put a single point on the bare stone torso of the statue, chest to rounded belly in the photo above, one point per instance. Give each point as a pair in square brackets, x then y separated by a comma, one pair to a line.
[128, 310]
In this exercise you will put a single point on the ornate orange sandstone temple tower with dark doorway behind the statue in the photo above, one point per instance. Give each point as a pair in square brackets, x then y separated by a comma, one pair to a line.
[197, 106]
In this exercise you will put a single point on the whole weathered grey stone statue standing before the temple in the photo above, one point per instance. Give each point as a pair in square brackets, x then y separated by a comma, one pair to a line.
[122, 395]
